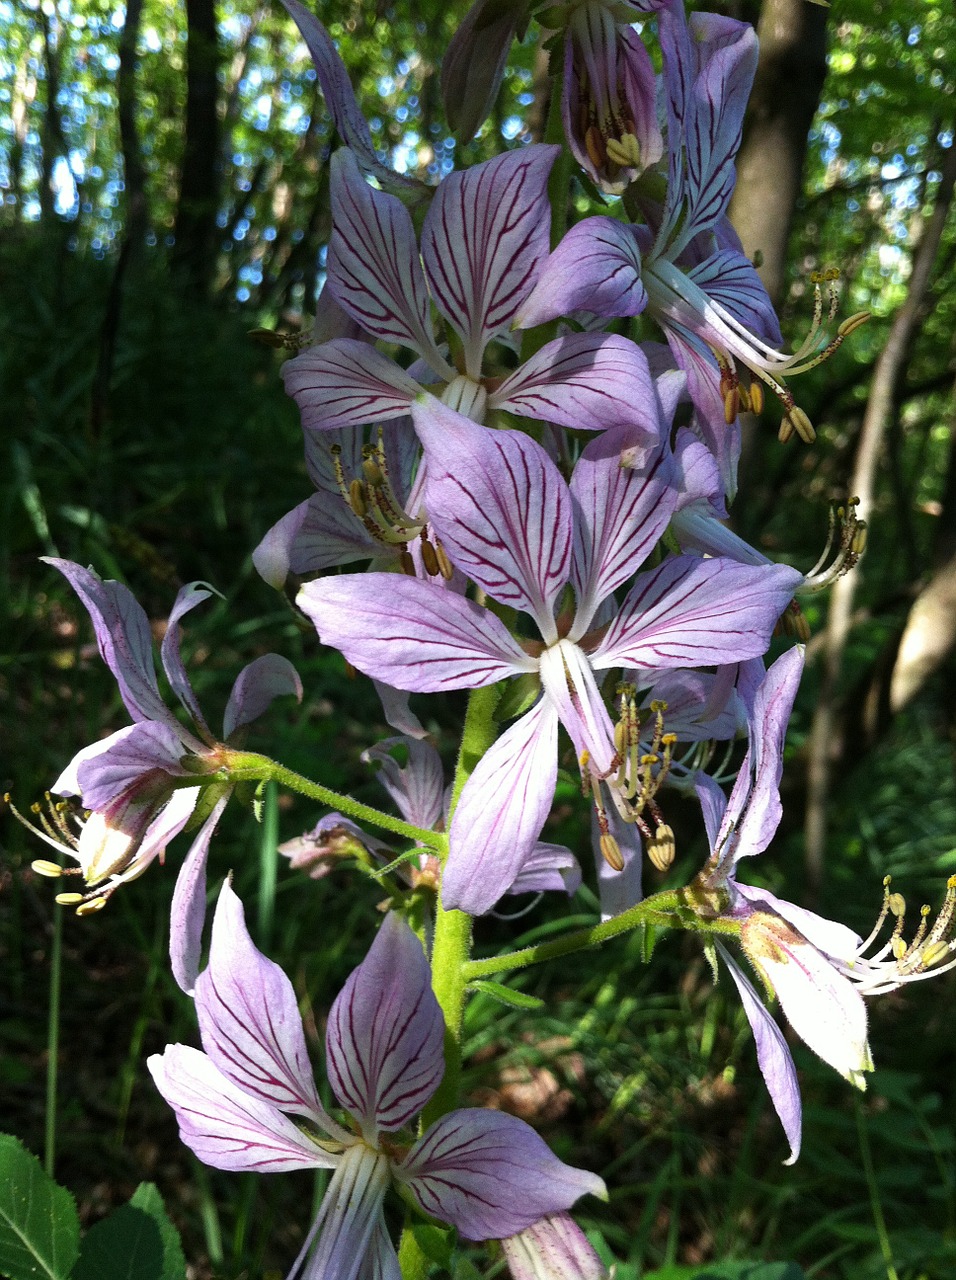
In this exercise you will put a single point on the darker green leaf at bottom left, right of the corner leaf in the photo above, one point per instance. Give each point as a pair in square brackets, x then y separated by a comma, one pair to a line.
[138, 1242]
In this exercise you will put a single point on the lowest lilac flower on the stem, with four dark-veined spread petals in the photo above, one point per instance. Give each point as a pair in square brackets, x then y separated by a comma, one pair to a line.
[484, 1173]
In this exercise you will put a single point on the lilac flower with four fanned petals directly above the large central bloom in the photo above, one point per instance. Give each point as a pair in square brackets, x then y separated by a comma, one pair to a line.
[483, 243]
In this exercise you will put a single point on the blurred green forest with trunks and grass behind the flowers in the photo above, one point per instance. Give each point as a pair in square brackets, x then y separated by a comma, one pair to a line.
[164, 185]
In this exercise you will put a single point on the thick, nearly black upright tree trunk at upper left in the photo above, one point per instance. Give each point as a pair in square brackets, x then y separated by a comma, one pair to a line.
[194, 254]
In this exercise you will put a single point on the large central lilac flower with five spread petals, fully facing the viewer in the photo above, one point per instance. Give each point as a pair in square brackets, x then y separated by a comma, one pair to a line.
[507, 519]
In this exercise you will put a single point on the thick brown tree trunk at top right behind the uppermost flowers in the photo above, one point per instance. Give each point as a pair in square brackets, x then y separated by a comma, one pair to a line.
[771, 161]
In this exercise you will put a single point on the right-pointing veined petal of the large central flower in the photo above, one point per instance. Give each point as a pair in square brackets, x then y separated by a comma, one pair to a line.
[690, 614]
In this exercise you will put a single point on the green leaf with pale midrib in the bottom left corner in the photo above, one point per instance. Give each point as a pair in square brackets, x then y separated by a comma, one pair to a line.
[39, 1223]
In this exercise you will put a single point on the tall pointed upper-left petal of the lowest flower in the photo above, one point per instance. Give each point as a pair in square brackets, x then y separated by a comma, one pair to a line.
[250, 1021]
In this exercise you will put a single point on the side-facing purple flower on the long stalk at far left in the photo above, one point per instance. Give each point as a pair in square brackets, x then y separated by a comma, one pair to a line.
[138, 784]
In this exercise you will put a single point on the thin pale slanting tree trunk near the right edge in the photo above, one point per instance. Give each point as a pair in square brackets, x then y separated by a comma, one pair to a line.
[825, 746]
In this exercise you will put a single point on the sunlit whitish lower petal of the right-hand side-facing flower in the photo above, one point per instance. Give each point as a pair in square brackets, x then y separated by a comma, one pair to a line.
[824, 1008]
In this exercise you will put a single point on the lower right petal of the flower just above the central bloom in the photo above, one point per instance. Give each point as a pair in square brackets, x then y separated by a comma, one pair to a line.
[586, 381]
